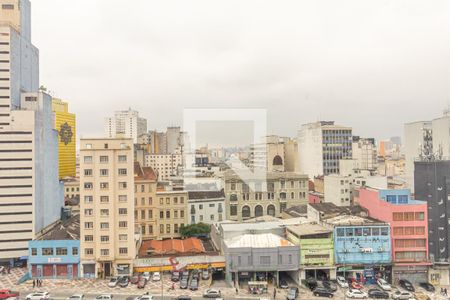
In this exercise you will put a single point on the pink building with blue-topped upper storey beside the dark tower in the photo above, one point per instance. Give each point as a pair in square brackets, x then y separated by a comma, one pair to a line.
[408, 219]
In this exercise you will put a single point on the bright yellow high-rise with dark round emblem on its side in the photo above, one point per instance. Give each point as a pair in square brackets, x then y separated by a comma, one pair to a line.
[66, 127]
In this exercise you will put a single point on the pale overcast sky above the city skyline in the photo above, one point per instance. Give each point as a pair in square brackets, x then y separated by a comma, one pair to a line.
[373, 65]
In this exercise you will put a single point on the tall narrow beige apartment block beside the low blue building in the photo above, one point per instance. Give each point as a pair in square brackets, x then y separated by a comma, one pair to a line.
[106, 207]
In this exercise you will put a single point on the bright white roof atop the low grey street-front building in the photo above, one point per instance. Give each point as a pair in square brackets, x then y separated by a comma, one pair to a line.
[266, 240]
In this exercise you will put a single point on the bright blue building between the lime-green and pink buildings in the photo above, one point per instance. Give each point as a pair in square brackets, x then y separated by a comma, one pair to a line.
[364, 250]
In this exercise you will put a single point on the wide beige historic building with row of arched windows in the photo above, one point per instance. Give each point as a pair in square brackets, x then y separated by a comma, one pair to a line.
[280, 191]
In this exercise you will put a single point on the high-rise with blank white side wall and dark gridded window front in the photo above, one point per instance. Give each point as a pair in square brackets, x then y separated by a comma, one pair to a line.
[321, 145]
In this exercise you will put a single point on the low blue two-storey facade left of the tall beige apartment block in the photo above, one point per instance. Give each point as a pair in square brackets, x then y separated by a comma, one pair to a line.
[54, 258]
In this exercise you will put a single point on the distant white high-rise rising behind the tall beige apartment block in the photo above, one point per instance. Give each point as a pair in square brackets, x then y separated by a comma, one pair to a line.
[127, 124]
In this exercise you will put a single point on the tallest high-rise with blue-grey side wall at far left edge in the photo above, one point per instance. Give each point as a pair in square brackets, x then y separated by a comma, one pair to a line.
[30, 193]
